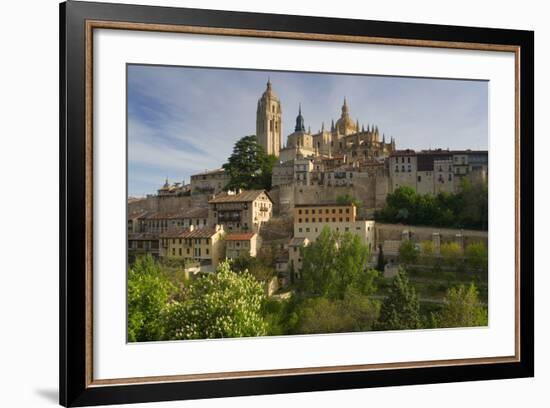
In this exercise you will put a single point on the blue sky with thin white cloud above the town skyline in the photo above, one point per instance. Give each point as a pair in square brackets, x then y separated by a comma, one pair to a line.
[185, 120]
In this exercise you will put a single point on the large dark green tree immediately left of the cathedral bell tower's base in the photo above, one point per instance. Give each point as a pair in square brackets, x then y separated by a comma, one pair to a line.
[249, 167]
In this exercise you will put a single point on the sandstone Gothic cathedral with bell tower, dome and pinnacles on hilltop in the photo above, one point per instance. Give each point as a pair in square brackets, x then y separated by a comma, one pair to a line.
[345, 138]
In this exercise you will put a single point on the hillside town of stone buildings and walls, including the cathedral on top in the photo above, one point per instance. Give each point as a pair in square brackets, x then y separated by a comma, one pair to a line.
[337, 177]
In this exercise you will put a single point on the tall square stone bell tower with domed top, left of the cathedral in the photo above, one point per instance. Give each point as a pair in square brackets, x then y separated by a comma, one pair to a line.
[269, 121]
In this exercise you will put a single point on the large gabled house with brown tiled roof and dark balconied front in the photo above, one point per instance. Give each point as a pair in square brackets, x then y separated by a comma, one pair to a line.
[243, 211]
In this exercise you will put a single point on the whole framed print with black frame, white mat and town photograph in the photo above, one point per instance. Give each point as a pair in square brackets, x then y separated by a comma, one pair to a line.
[255, 203]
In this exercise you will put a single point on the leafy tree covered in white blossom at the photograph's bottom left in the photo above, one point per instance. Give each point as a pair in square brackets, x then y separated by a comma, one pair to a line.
[218, 305]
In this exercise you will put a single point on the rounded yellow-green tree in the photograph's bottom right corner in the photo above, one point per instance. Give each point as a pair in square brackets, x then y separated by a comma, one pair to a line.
[462, 308]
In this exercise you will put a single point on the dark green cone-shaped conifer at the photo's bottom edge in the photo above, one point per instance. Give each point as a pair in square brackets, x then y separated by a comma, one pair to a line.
[400, 310]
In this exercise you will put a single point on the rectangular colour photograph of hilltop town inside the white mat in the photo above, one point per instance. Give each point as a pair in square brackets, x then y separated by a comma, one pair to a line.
[285, 203]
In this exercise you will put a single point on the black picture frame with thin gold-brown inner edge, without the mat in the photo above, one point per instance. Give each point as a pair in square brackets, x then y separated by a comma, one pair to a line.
[78, 20]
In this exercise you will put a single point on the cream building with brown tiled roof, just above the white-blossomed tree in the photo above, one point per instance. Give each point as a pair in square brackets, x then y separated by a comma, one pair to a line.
[204, 245]
